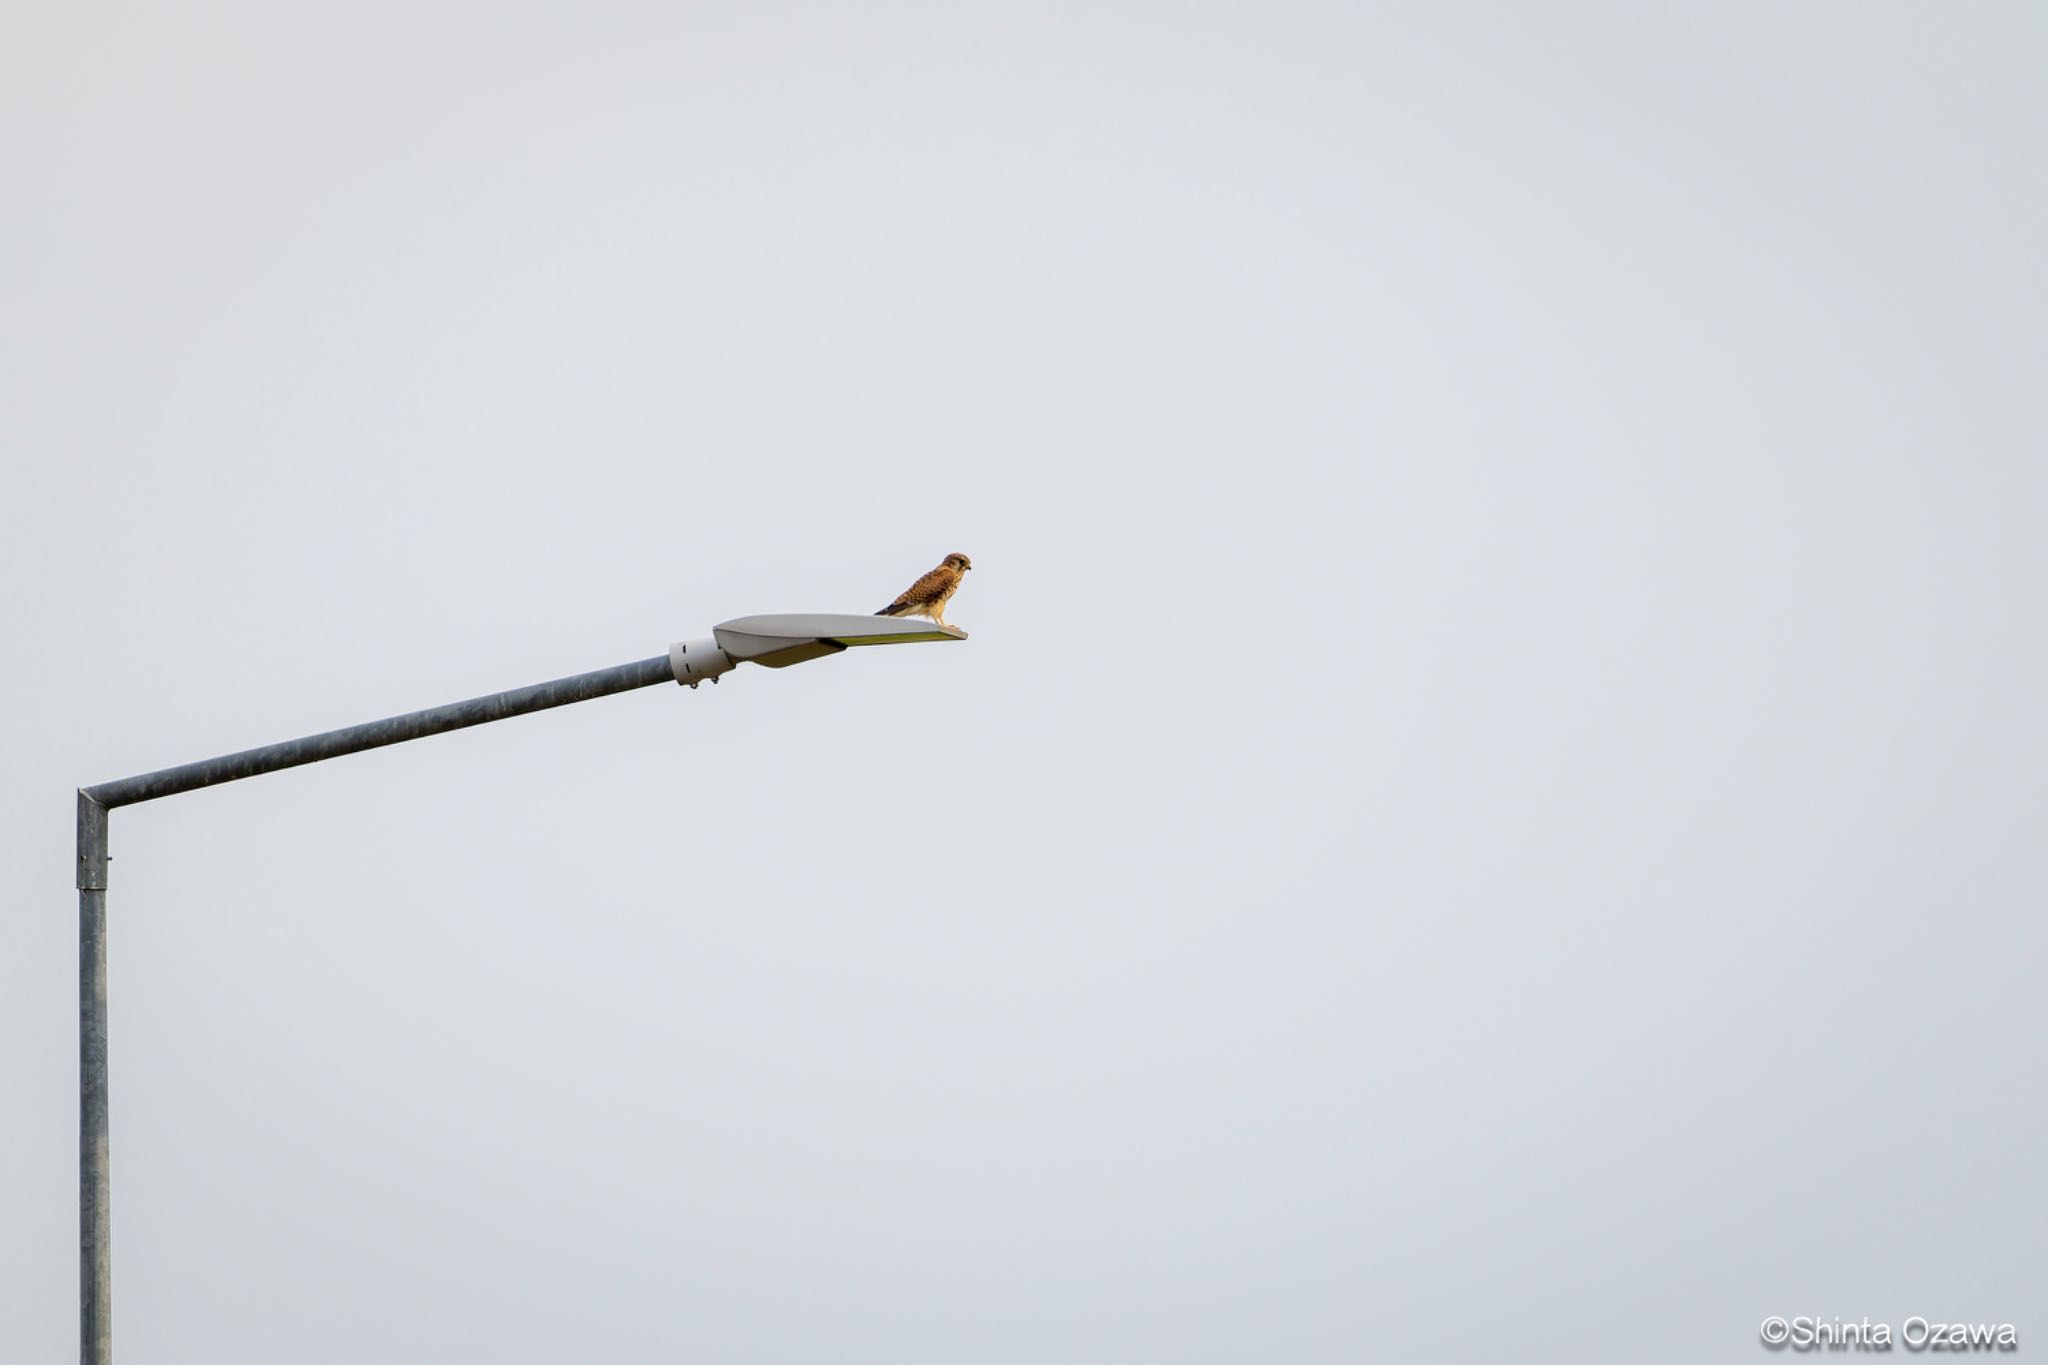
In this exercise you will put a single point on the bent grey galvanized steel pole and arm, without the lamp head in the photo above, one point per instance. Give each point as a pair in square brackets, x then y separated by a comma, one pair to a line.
[95, 1270]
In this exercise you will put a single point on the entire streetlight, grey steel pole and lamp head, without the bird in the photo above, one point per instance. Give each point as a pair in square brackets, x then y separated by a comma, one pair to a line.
[771, 642]
